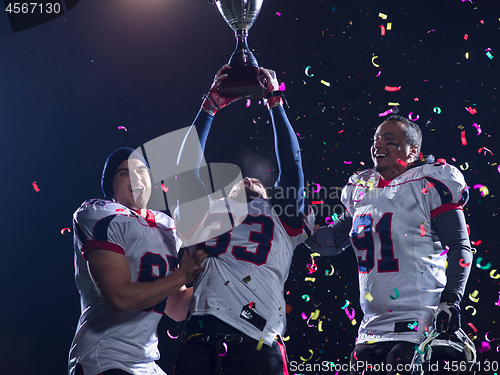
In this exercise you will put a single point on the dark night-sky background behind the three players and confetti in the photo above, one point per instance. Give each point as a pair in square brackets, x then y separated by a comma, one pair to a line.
[67, 85]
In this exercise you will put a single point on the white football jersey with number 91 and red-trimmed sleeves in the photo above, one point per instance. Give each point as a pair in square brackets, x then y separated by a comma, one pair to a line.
[401, 264]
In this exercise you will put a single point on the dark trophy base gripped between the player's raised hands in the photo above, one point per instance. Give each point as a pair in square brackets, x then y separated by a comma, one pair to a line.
[242, 82]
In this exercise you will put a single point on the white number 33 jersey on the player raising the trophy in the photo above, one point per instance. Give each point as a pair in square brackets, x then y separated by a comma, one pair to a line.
[243, 283]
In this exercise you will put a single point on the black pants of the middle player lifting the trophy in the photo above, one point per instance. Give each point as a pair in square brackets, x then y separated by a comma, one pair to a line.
[229, 355]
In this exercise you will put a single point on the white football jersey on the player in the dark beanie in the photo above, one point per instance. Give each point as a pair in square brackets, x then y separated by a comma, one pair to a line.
[129, 341]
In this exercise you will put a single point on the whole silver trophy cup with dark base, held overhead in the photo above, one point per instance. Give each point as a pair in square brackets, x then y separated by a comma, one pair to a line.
[242, 79]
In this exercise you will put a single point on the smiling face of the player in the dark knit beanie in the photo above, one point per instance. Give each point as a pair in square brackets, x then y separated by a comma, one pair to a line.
[132, 184]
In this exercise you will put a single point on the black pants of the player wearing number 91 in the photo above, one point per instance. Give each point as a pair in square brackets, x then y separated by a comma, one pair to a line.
[388, 357]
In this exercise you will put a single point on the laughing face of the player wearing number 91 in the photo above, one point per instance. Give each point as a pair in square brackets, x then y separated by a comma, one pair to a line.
[390, 153]
